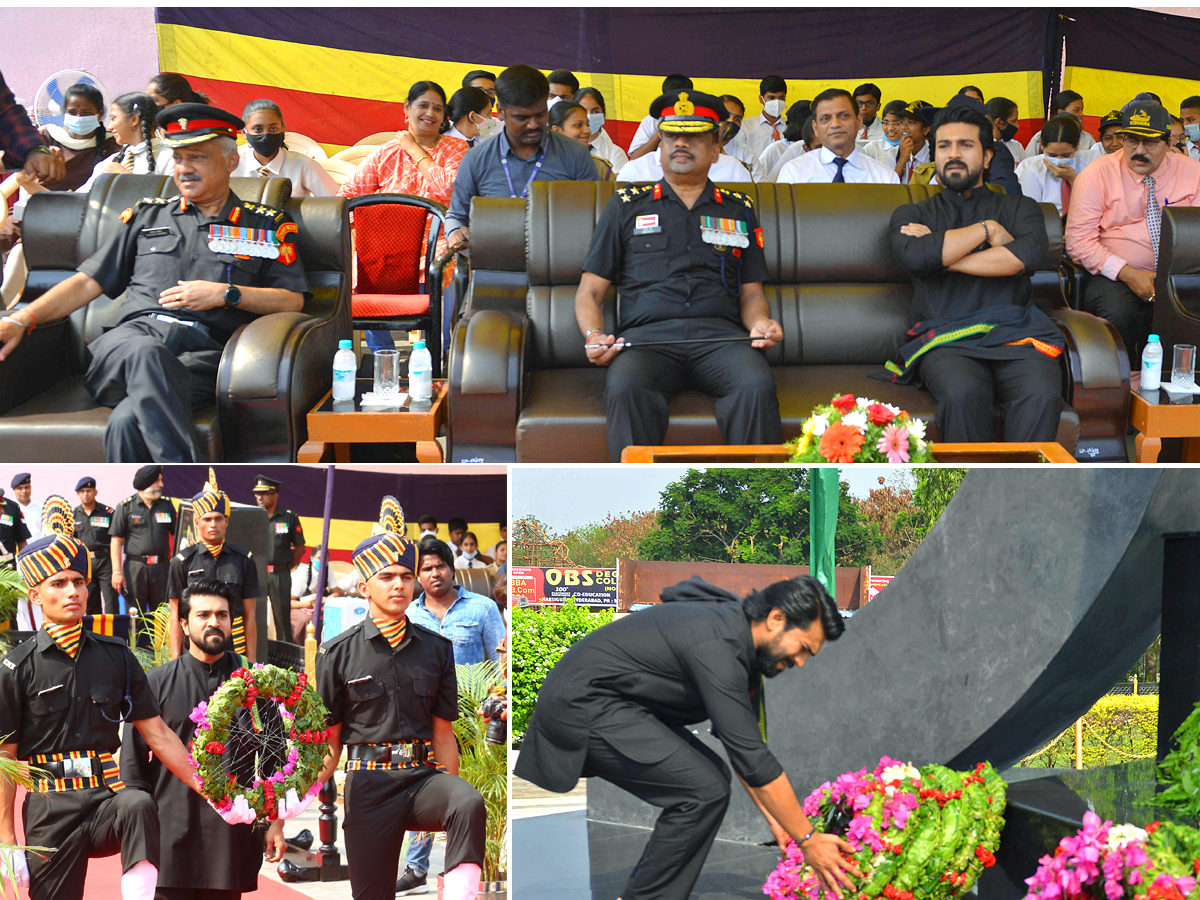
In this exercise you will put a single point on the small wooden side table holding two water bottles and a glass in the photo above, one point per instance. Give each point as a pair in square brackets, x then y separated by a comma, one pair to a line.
[344, 423]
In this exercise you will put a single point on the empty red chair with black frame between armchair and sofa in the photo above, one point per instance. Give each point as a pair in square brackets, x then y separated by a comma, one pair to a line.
[388, 233]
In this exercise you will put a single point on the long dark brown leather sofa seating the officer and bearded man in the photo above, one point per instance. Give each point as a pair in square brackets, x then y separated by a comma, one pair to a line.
[521, 388]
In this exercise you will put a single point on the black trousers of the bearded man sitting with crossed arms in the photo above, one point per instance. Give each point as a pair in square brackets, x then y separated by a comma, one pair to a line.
[968, 391]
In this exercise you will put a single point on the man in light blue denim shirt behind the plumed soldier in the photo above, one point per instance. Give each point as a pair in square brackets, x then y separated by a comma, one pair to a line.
[473, 622]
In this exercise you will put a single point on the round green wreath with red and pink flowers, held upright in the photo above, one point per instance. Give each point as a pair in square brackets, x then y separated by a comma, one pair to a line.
[308, 742]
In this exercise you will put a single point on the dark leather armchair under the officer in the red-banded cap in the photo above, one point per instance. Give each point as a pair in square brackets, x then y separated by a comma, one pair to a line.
[272, 373]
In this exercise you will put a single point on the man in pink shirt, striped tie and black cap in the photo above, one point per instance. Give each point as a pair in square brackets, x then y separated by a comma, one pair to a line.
[1117, 217]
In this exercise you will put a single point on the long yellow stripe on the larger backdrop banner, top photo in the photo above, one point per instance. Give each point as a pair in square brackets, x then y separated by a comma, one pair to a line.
[375, 76]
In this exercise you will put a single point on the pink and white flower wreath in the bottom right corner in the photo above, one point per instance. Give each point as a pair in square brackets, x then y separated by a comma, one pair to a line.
[1107, 862]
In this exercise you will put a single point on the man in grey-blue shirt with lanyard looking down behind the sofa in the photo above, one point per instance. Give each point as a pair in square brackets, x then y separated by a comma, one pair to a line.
[525, 152]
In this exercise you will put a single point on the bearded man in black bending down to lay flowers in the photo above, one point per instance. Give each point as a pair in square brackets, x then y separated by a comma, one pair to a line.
[616, 705]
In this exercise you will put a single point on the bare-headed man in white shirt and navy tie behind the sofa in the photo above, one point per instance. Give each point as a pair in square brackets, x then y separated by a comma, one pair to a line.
[839, 161]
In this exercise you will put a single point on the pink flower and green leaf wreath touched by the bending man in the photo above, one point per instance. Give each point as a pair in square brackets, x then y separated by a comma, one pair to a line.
[917, 835]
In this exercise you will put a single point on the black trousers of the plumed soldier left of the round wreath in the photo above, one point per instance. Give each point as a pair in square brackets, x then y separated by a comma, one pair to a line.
[94, 823]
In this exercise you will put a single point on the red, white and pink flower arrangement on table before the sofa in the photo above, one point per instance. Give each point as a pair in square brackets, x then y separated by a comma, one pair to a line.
[860, 430]
